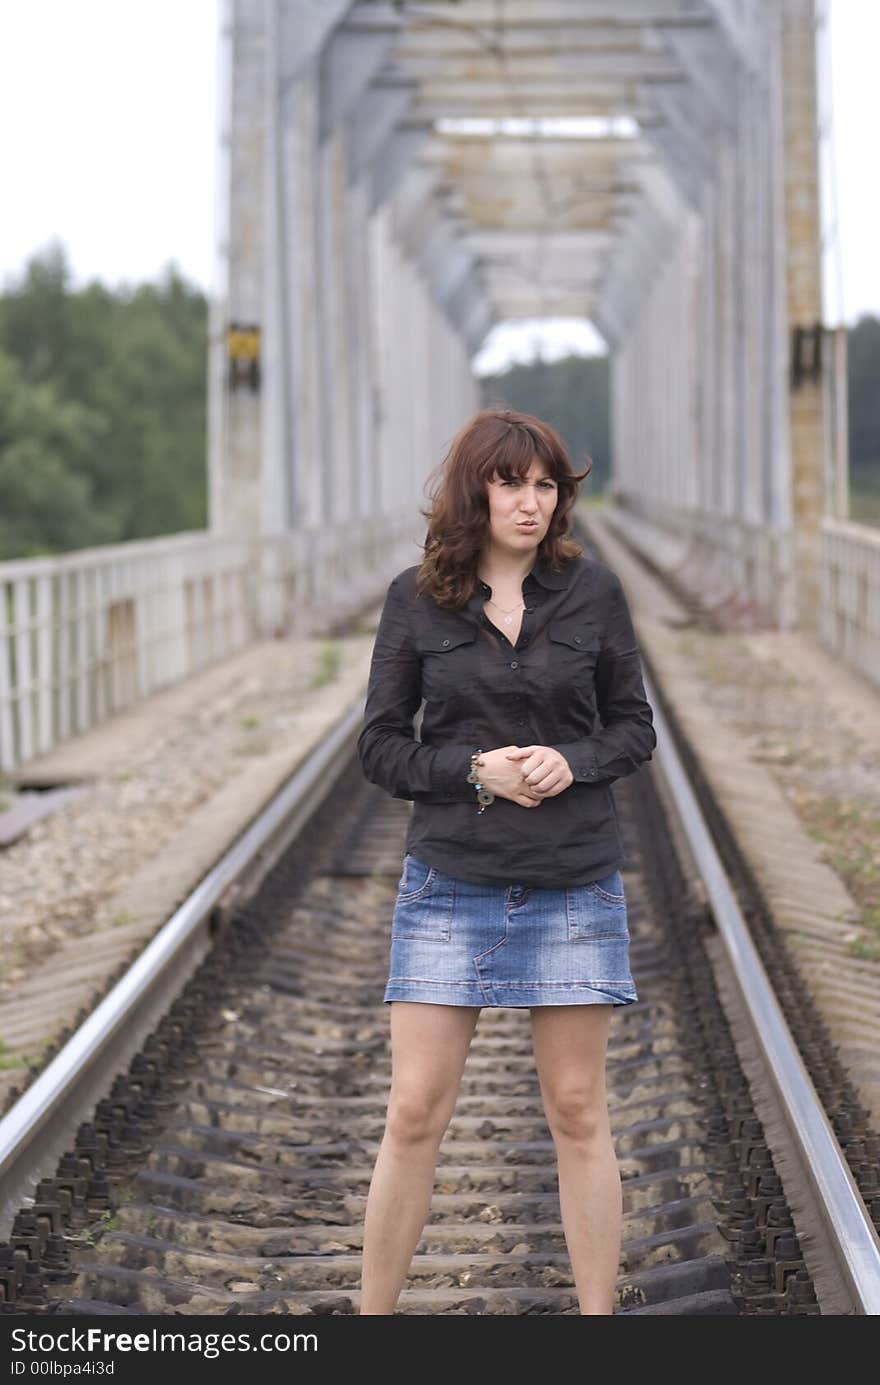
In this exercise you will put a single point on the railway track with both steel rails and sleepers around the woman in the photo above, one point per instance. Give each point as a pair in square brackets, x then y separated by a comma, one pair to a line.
[214, 1156]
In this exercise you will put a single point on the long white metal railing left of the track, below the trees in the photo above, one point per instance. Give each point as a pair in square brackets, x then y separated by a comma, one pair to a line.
[89, 634]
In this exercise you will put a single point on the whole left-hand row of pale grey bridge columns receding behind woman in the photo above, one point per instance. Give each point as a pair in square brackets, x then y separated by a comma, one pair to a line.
[337, 377]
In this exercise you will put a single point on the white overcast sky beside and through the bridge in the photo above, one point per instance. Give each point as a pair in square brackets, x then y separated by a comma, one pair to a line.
[110, 125]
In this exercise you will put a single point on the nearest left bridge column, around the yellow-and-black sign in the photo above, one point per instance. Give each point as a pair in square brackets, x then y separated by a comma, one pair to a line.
[265, 443]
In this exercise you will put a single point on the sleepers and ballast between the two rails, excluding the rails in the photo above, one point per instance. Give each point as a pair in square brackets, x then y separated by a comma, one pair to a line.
[227, 1170]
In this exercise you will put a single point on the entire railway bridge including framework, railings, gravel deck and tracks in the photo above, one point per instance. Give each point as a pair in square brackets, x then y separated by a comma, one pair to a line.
[186, 826]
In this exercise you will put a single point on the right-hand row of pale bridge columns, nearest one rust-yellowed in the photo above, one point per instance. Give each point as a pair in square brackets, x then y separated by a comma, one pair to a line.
[743, 272]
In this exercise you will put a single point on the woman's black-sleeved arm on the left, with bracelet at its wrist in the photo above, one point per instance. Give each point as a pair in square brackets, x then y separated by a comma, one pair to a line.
[390, 756]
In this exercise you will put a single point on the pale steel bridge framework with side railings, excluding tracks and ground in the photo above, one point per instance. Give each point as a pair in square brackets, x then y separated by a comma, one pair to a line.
[393, 181]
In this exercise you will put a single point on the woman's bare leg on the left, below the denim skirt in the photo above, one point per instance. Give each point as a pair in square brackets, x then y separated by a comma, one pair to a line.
[429, 1052]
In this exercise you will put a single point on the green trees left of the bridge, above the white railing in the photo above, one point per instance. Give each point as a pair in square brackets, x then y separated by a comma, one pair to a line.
[127, 372]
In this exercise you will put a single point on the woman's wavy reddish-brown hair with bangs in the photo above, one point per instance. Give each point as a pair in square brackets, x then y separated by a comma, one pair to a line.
[494, 443]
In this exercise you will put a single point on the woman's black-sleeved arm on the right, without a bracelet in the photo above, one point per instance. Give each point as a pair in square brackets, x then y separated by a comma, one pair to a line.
[627, 736]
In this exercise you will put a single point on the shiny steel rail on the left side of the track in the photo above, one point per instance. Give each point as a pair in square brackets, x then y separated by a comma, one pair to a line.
[41, 1127]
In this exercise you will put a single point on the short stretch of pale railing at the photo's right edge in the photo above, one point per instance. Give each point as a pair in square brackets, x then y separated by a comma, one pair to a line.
[850, 559]
